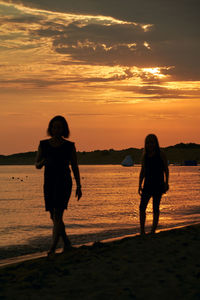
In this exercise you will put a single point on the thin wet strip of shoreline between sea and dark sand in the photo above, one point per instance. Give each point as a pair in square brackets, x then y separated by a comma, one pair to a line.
[35, 255]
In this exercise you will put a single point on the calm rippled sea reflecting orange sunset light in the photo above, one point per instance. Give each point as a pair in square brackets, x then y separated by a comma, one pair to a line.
[108, 208]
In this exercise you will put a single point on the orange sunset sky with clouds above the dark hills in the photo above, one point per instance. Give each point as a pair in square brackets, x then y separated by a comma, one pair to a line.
[117, 70]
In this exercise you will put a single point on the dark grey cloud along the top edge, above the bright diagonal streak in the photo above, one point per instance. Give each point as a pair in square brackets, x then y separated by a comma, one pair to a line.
[173, 13]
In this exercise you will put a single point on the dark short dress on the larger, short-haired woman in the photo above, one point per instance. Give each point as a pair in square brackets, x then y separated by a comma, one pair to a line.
[57, 174]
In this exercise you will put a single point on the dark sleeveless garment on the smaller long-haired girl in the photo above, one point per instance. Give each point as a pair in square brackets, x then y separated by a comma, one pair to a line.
[154, 175]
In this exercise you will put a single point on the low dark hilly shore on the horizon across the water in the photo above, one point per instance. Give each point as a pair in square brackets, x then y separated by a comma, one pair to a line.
[176, 154]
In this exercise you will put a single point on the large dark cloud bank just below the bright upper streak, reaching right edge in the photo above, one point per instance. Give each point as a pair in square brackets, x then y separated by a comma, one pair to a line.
[123, 44]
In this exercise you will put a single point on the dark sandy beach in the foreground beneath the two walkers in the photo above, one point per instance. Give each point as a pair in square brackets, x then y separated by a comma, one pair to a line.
[161, 266]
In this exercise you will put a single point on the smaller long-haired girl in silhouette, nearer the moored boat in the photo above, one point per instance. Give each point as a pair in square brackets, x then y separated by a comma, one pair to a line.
[155, 174]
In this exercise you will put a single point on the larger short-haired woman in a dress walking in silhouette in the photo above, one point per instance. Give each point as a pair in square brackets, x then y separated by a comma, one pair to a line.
[55, 154]
